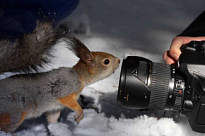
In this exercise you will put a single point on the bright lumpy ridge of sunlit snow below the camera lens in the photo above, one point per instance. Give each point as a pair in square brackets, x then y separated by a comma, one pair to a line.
[125, 127]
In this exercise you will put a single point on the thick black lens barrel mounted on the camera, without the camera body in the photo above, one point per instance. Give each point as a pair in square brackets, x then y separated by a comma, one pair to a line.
[145, 84]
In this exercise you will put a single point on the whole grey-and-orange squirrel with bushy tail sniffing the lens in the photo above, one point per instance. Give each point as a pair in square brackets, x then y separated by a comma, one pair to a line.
[30, 95]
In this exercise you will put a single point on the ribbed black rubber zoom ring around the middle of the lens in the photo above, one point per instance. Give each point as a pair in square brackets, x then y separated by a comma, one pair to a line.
[159, 86]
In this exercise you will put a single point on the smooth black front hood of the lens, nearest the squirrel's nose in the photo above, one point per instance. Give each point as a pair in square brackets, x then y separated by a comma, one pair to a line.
[133, 91]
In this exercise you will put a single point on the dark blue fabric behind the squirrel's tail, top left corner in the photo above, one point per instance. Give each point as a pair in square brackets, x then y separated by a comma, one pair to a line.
[18, 17]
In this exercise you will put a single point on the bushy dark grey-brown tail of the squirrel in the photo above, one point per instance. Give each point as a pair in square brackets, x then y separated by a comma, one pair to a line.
[30, 51]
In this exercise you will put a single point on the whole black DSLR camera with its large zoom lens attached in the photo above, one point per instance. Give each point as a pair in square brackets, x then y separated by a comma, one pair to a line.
[178, 87]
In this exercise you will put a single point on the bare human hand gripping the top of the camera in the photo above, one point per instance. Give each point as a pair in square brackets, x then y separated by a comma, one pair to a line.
[172, 55]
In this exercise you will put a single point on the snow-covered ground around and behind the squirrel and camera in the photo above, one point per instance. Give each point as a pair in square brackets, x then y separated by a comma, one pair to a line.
[132, 27]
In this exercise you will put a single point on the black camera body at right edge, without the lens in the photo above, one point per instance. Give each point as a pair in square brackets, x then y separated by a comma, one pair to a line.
[192, 64]
